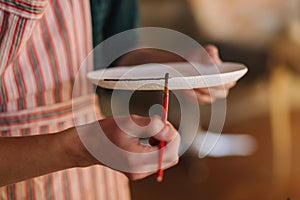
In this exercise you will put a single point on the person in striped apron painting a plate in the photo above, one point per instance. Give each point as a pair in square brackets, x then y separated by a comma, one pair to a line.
[42, 44]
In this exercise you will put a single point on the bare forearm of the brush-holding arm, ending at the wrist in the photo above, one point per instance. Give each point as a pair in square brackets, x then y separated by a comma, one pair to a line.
[23, 158]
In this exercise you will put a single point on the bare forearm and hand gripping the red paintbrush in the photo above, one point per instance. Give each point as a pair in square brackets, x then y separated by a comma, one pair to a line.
[22, 158]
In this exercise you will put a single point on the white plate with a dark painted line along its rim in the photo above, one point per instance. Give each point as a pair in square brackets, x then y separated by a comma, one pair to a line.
[182, 76]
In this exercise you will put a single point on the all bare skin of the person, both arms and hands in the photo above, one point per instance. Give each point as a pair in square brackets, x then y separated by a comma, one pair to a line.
[23, 158]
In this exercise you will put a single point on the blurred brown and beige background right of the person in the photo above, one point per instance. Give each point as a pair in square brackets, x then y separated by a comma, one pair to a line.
[263, 110]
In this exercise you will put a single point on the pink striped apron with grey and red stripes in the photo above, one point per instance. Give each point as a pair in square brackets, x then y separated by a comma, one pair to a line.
[42, 45]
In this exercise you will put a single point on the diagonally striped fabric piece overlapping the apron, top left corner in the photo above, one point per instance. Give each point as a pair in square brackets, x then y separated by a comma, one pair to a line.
[17, 21]
